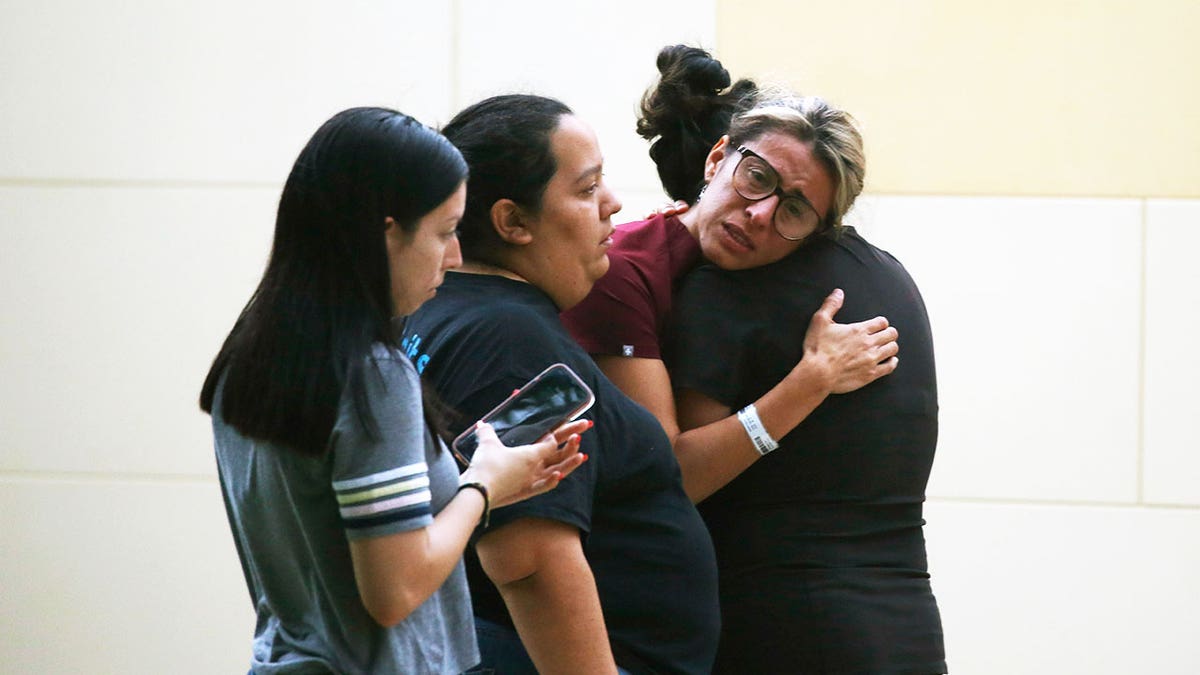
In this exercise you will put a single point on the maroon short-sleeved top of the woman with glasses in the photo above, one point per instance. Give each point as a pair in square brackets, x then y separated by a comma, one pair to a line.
[628, 309]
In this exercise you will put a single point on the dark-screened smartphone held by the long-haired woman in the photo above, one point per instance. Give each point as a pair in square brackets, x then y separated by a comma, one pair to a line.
[551, 399]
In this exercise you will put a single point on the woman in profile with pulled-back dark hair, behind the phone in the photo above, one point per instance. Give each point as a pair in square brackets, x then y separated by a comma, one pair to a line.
[615, 569]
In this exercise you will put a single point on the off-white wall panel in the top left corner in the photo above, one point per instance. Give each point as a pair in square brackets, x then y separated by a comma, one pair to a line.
[221, 91]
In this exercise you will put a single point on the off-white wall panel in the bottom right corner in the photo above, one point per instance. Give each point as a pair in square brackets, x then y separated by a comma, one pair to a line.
[1066, 590]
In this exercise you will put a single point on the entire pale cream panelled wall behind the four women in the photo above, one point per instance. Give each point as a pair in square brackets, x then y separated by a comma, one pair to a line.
[142, 152]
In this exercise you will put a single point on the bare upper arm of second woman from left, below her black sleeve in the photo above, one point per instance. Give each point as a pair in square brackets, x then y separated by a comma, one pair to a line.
[538, 565]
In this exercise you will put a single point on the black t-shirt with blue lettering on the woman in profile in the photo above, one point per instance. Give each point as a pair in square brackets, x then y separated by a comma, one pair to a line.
[651, 554]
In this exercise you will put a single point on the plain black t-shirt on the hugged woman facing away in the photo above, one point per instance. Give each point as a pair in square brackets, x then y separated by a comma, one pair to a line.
[820, 545]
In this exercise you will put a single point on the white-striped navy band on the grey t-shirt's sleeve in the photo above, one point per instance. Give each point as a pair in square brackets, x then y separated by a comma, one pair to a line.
[386, 499]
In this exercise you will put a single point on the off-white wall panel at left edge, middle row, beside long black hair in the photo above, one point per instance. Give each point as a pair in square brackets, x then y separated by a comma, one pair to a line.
[116, 302]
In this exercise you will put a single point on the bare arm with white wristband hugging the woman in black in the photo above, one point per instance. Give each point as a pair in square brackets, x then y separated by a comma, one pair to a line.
[713, 449]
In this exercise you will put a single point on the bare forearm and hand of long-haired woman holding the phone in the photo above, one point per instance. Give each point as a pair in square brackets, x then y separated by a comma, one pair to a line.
[397, 574]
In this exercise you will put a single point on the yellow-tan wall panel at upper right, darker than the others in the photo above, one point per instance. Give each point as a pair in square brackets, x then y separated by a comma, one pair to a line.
[1018, 98]
